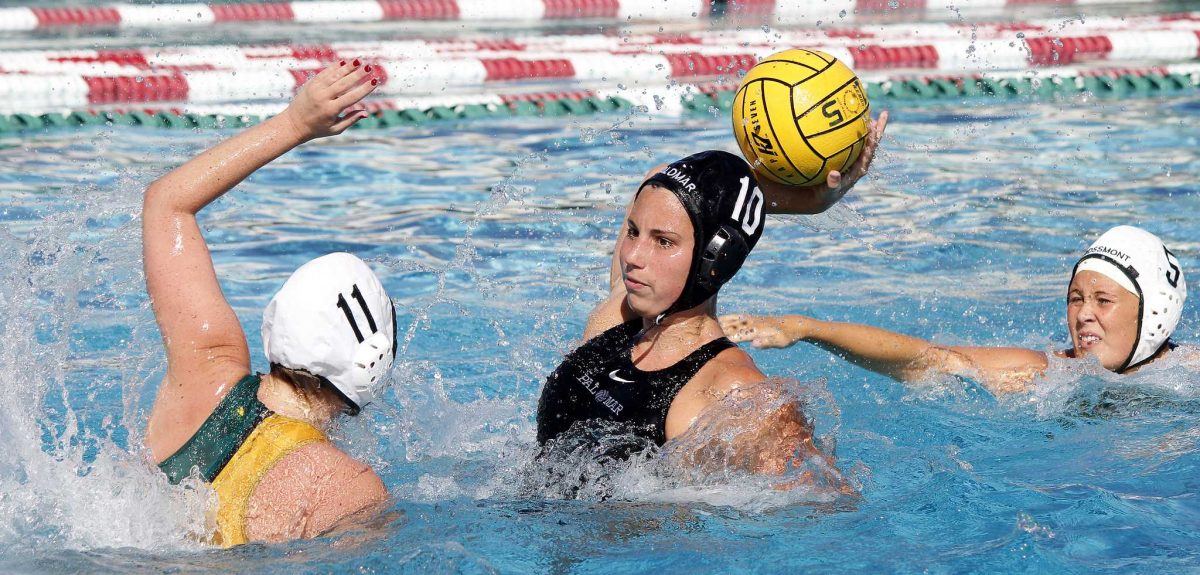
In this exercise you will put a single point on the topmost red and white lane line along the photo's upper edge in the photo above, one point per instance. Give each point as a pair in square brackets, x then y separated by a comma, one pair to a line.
[317, 13]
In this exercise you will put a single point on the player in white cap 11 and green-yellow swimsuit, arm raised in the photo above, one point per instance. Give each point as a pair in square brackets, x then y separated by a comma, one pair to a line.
[329, 334]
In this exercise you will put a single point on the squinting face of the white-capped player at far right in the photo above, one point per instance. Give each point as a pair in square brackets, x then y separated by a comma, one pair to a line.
[1102, 318]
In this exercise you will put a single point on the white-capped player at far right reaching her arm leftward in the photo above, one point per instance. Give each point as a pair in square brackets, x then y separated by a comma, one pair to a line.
[1125, 300]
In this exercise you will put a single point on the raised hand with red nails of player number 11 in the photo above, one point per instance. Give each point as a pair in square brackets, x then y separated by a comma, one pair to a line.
[323, 107]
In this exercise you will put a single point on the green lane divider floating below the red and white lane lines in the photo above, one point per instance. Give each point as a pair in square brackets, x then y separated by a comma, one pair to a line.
[1117, 87]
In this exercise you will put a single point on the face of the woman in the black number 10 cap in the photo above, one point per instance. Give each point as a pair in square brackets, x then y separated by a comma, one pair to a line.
[656, 253]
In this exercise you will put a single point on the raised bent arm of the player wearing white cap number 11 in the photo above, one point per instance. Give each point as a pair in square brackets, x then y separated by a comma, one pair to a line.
[206, 346]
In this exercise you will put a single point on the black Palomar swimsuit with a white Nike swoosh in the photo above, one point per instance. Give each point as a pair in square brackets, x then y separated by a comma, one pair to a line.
[599, 381]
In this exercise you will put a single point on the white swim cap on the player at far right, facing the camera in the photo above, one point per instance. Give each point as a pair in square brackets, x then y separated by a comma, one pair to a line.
[1139, 262]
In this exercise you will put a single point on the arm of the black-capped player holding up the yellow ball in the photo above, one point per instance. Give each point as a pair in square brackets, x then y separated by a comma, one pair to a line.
[783, 199]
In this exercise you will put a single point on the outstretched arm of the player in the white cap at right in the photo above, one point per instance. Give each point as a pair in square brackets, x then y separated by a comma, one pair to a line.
[999, 369]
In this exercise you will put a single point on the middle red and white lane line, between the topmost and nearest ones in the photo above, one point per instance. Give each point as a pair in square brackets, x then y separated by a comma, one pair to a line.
[1155, 32]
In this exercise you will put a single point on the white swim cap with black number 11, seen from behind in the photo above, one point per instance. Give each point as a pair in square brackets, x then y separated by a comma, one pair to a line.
[333, 320]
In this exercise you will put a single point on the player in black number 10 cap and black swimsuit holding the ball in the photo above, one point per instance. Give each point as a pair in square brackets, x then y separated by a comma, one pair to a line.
[655, 356]
